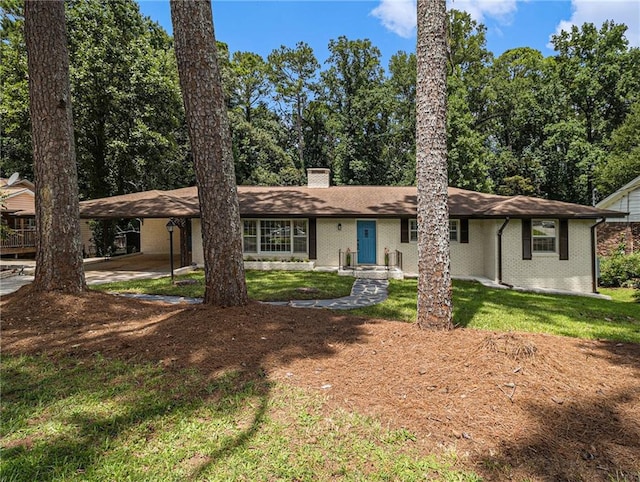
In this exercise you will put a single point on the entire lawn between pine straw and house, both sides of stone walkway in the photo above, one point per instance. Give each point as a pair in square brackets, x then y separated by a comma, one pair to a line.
[475, 306]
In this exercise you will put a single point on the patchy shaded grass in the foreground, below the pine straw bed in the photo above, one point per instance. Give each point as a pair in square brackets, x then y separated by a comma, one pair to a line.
[104, 420]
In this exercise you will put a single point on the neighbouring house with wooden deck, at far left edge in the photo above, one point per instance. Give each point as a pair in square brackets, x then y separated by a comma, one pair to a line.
[16, 211]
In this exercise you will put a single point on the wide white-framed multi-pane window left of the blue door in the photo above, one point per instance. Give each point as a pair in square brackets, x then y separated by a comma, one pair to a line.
[275, 236]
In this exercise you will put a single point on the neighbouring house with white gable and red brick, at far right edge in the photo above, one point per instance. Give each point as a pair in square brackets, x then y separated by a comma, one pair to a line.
[622, 233]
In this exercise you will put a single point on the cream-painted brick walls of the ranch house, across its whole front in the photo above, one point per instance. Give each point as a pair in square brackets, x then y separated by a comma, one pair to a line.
[477, 258]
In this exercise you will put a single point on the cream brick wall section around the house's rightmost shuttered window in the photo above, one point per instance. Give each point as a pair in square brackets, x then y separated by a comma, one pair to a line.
[546, 270]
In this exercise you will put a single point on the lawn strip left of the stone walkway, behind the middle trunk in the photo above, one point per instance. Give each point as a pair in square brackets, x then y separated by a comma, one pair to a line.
[261, 285]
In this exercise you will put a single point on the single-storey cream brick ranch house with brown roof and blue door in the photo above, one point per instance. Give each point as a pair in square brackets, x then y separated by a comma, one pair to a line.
[520, 241]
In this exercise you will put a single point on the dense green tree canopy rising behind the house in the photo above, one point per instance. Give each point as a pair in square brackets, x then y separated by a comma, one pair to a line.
[560, 127]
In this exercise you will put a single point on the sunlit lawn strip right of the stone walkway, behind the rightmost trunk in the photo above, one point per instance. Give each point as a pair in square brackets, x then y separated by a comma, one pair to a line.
[476, 306]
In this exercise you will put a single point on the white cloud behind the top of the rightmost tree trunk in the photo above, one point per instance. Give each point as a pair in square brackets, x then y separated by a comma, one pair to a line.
[399, 16]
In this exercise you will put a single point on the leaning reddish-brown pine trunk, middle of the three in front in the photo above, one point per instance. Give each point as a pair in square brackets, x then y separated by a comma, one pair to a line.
[210, 137]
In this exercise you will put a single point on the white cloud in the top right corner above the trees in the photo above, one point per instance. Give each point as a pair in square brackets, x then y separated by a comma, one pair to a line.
[598, 11]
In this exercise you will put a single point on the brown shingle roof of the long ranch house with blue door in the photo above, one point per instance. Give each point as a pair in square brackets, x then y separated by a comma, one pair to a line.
[337, 201]
